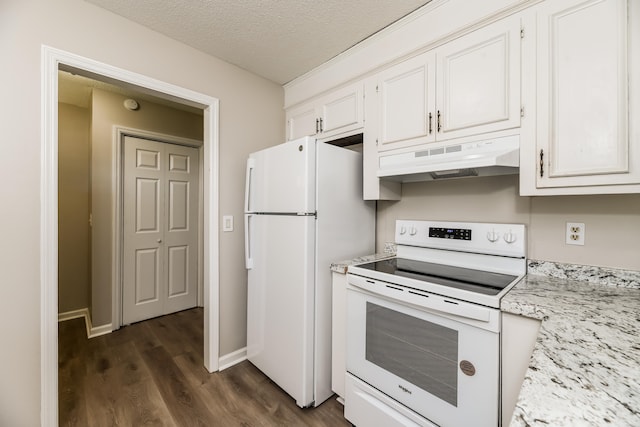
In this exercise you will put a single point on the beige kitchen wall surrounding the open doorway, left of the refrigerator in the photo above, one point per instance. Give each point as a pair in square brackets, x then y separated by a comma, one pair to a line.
[251, 118]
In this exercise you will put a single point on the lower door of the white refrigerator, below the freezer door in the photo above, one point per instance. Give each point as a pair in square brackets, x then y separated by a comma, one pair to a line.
[280, 302]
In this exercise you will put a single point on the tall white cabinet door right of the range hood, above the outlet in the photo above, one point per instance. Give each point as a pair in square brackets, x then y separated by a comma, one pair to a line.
[582, 74]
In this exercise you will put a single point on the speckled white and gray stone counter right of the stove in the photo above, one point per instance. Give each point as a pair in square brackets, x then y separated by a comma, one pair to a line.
[585, 367]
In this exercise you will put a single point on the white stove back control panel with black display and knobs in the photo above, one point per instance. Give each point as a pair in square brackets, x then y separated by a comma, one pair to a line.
[478, 237]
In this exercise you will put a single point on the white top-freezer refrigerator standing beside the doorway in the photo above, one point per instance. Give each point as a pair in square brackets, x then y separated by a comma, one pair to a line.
[303, 211]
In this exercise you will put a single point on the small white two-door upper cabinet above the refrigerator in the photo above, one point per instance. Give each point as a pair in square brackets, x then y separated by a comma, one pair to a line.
[340, 112]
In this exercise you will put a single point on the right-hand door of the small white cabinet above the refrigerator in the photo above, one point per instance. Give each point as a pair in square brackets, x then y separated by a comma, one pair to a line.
[342, 111]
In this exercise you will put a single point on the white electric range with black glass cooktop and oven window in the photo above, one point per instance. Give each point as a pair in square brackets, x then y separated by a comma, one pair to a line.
[423, 328]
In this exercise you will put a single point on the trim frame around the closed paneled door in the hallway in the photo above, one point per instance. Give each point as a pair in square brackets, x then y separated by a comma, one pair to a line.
[119, 133]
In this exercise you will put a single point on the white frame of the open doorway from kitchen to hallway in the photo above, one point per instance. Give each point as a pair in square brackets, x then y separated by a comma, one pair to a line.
[53, 59]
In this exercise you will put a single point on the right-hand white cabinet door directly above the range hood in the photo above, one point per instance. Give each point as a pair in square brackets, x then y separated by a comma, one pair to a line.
[478, 81]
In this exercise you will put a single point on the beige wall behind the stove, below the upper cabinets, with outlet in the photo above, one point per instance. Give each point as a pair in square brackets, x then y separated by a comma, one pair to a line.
[612, 221]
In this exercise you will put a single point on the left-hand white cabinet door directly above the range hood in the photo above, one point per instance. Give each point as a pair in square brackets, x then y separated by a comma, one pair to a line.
[406, 99]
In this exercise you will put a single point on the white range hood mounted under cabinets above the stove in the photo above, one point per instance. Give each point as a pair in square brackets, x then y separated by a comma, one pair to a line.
[496, 156]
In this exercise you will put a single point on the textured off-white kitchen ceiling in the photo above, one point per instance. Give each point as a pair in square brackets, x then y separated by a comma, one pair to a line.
[277, 39]
